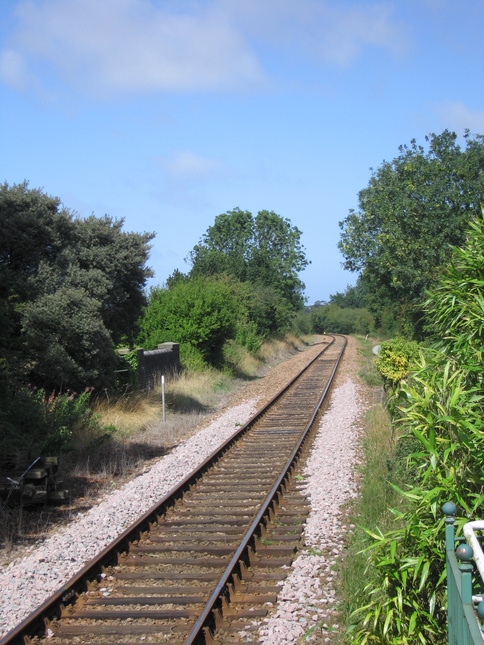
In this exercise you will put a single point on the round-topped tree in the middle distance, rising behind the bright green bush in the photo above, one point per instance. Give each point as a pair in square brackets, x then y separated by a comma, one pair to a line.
[265, 250]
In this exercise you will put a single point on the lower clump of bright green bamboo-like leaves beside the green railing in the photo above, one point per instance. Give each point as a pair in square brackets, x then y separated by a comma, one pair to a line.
[443, 419]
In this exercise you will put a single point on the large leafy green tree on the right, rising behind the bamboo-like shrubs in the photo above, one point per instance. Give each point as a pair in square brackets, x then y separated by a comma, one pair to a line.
[414, 209]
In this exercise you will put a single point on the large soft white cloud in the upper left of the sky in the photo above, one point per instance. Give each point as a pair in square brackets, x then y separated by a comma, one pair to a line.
[133, 45]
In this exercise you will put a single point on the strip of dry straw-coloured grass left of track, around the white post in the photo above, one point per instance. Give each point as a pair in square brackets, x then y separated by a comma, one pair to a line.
[135, 431]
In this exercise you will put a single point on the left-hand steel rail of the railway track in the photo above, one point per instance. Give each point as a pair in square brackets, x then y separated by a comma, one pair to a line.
[51, 607]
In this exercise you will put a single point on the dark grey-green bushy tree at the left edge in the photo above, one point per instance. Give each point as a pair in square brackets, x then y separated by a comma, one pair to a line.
[70, 289]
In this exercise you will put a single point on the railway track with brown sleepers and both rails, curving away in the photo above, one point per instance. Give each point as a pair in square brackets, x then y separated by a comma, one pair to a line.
[202, 565]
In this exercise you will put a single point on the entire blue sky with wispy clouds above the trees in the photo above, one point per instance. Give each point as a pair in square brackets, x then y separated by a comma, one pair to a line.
[169, 112]
